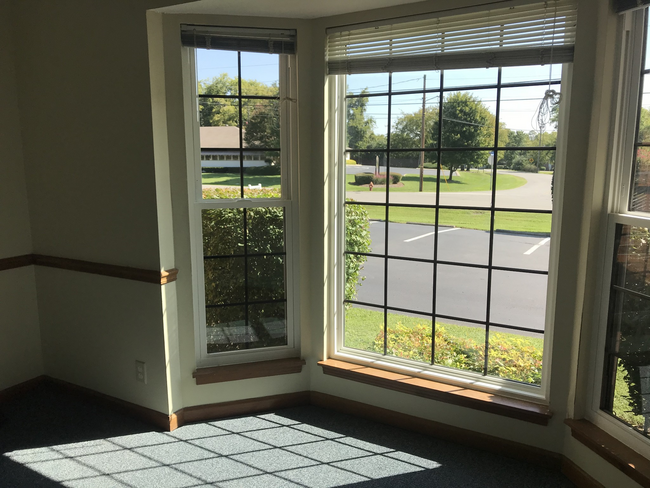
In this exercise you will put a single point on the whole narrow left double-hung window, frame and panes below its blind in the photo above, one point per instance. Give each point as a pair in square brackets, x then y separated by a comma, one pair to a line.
[244, 228]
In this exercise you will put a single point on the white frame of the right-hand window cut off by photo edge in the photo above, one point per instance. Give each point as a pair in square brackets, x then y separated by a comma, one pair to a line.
[631, 61]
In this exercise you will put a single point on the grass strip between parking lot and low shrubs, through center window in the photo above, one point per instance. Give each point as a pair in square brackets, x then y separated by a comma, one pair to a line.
[362, 326]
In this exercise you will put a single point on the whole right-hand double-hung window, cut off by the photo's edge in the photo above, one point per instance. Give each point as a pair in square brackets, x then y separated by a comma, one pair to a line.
[622, 399]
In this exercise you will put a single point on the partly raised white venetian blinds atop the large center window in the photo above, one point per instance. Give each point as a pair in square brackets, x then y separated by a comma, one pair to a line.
[519, 35]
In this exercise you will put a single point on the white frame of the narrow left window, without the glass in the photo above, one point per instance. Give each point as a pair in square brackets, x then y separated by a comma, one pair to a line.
[288, 200]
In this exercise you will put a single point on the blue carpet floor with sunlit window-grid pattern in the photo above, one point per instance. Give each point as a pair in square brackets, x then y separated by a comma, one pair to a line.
[50, 438]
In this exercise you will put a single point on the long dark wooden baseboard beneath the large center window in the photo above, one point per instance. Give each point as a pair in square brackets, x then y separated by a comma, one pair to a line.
[439, 430]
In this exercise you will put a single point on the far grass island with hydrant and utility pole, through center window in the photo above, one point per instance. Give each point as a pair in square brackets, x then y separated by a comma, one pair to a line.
[465, 181]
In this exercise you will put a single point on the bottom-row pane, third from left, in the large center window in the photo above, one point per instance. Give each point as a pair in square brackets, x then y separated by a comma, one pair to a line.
[459, 345]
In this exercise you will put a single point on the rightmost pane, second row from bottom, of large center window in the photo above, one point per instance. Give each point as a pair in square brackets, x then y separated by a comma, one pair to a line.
[518, 299]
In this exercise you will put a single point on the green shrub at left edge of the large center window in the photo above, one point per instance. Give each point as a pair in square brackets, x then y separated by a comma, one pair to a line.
[357, 239]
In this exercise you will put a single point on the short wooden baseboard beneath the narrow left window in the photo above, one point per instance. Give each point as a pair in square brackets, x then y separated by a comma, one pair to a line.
[241, 407]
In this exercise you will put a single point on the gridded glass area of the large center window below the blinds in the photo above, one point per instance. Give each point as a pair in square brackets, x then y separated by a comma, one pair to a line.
[418, 270]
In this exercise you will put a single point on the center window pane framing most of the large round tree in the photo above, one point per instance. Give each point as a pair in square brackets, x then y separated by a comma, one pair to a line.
[468, 120]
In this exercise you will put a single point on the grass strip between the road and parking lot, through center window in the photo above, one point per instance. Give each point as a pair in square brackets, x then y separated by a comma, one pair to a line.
[467, 219]
